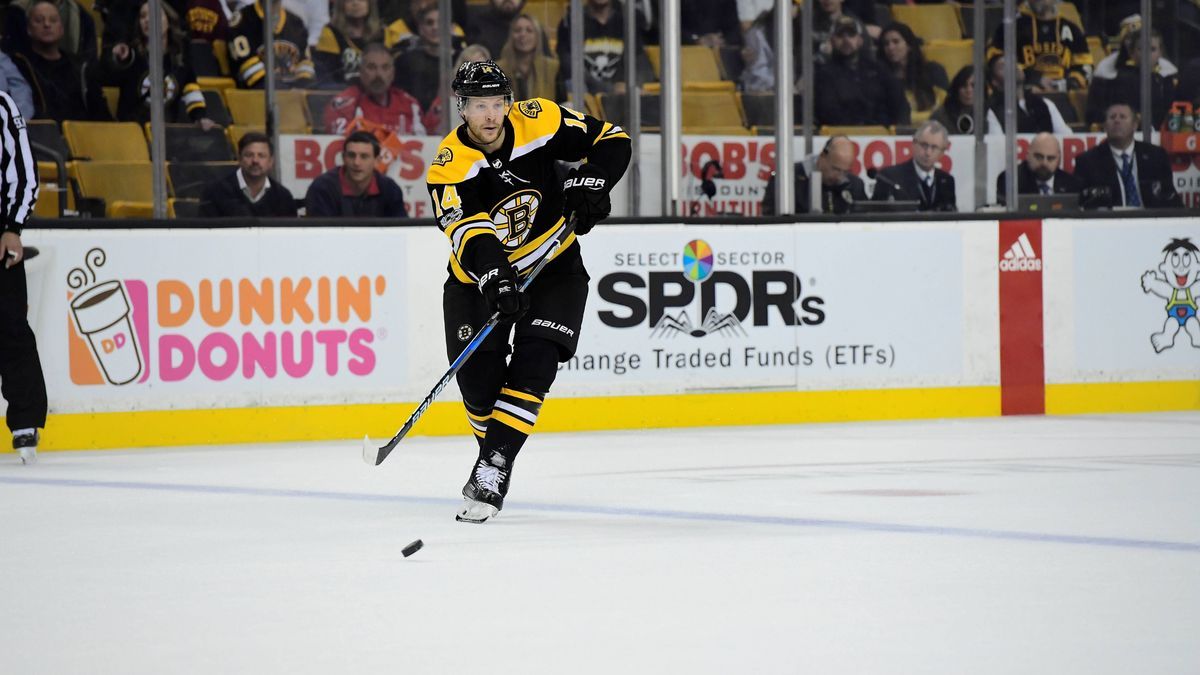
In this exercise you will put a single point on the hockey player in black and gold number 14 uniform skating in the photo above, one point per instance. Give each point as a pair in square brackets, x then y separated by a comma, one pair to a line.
[500, 201]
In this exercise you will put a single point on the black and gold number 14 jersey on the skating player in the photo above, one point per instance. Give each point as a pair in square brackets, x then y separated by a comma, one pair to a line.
[509, 204]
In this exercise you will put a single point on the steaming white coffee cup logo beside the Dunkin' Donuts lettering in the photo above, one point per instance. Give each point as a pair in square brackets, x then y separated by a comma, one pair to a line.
[101, 314]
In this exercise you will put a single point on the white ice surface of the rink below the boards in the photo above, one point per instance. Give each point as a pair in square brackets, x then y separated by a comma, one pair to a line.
[1018, 546]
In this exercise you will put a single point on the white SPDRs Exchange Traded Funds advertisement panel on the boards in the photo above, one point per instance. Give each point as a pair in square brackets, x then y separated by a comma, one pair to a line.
[823, 307]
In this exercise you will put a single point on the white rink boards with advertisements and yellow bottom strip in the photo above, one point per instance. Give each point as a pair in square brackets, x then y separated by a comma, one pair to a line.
[167, 337]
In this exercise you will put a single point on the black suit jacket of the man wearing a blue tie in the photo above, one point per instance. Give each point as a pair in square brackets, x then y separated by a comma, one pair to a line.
[1101, 177]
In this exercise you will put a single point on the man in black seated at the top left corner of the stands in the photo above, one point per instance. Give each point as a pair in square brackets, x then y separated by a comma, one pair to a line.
[64, 87]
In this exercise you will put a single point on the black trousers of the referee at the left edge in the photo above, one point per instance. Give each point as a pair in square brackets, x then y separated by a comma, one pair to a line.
[21, 372]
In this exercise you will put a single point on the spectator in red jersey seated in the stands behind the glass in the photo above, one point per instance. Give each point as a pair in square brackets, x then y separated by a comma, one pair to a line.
[375, 100]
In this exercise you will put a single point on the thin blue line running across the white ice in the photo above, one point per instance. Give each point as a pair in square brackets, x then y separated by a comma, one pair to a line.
[705, 517]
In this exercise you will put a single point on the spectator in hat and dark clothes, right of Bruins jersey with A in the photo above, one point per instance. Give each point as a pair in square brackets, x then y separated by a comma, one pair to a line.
[1118, 80]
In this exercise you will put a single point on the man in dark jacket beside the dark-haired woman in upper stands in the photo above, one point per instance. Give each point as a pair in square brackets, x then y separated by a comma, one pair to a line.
[854, 89]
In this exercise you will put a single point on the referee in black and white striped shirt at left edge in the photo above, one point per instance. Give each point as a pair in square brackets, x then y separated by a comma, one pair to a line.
[21, 372]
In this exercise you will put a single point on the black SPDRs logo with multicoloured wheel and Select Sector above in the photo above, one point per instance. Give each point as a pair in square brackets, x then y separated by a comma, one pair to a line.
[703, 298]
